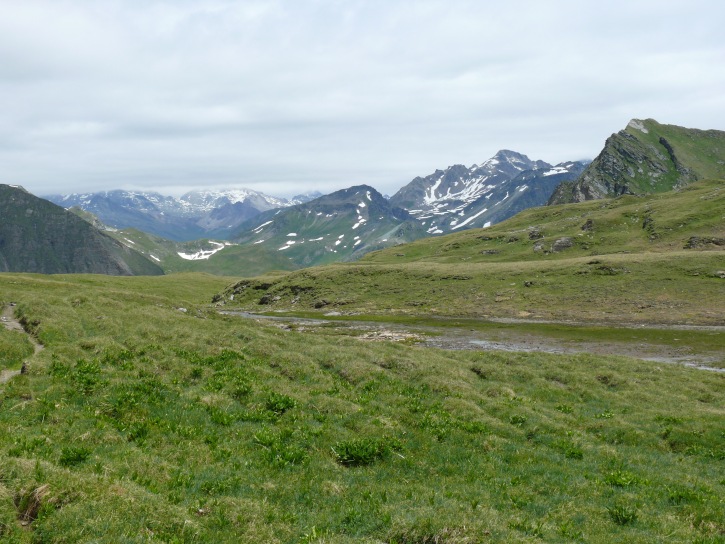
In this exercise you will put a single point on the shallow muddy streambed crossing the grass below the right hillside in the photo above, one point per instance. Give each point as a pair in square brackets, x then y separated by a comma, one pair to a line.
[504, 338]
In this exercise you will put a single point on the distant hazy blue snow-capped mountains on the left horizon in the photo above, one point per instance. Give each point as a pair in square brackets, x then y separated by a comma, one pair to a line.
[197, 214]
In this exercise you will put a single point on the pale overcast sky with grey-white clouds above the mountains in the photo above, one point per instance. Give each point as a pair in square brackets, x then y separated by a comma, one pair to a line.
[291, 96]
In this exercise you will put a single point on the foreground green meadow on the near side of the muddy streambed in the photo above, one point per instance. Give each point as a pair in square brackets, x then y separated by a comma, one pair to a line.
[142, 422]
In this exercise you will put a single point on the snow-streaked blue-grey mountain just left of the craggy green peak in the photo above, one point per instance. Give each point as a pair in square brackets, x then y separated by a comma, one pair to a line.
[479, 196]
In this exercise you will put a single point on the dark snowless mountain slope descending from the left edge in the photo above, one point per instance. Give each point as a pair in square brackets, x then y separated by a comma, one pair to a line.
[38, 236]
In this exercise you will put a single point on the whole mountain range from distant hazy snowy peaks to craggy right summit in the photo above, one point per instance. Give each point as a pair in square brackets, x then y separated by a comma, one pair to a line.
[244, 232]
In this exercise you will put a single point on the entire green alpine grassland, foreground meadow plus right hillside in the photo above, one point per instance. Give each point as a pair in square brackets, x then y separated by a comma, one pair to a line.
[146, 409]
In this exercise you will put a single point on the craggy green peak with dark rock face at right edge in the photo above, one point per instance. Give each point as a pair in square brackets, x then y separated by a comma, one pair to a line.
[648, 157]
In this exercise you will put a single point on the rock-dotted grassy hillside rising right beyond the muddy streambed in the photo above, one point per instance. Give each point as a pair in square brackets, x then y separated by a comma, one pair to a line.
[655, 259]
